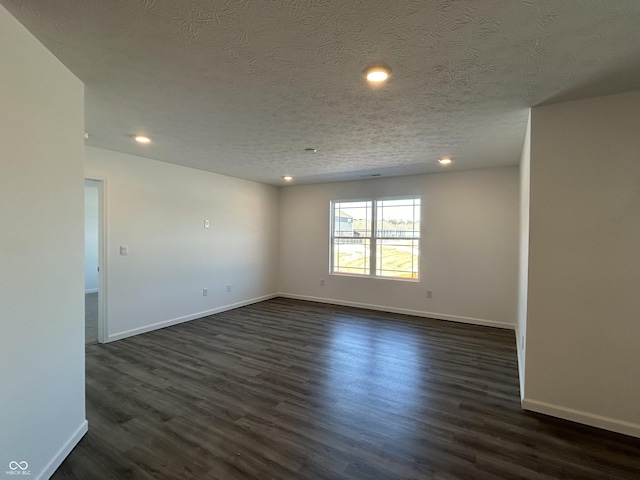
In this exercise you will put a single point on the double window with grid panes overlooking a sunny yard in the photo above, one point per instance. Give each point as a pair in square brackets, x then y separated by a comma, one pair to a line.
[378, 238]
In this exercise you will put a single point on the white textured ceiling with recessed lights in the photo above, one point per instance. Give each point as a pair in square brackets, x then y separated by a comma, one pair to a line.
[242, 87]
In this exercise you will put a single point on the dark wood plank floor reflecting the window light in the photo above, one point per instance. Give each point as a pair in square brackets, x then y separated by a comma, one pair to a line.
[287, 389]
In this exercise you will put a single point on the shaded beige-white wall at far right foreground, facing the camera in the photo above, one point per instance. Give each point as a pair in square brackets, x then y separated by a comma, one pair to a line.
[583, 326]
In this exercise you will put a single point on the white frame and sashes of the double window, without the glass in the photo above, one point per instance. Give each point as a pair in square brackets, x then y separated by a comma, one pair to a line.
[373, 238]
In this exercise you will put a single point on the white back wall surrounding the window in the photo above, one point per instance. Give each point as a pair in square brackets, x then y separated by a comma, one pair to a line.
[469, 248]
